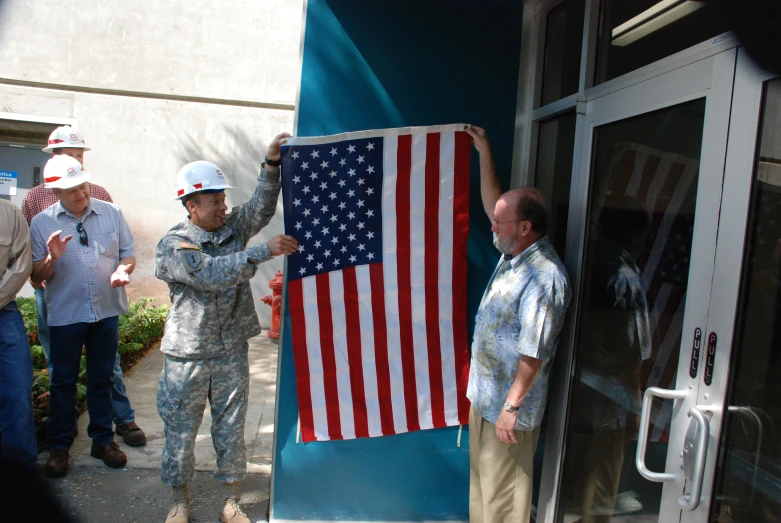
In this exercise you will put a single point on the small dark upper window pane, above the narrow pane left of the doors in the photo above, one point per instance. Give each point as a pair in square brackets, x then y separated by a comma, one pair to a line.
[563, 40]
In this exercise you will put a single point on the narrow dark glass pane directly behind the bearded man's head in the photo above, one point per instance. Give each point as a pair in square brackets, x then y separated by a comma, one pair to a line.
[555, 148]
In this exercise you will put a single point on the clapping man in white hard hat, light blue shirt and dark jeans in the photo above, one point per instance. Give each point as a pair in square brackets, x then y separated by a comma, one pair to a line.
[84, 297]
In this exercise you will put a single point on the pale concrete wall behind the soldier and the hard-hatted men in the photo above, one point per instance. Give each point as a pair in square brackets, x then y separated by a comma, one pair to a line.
[154, 85]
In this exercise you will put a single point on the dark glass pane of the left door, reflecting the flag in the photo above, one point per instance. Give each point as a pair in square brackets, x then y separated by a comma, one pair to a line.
[635, 275]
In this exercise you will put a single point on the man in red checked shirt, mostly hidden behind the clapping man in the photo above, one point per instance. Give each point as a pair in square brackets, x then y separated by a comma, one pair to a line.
[70, 142]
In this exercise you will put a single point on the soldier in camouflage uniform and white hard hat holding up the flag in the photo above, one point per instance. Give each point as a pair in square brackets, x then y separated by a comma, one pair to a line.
[207, 265]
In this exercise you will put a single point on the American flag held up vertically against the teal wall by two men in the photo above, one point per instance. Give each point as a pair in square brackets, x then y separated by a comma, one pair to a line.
[377, 290]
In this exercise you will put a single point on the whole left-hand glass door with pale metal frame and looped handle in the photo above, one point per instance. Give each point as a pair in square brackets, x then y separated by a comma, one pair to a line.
[645, 218]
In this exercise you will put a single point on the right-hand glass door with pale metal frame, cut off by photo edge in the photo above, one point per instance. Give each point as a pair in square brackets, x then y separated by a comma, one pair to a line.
[741, 378]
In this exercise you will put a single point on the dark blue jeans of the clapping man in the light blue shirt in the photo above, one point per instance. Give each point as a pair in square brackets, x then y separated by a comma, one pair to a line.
[100, 339]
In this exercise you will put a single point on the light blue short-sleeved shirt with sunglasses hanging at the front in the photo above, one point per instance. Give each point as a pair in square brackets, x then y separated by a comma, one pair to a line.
[80, 288]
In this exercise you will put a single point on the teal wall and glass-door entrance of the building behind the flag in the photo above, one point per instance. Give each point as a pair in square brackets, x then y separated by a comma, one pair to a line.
[653, 134]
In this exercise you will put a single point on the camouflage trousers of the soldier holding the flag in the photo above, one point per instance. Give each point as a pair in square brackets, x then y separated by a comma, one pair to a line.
[185, 385]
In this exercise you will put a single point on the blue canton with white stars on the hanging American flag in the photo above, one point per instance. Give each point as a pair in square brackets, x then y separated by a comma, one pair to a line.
[332, 196]
